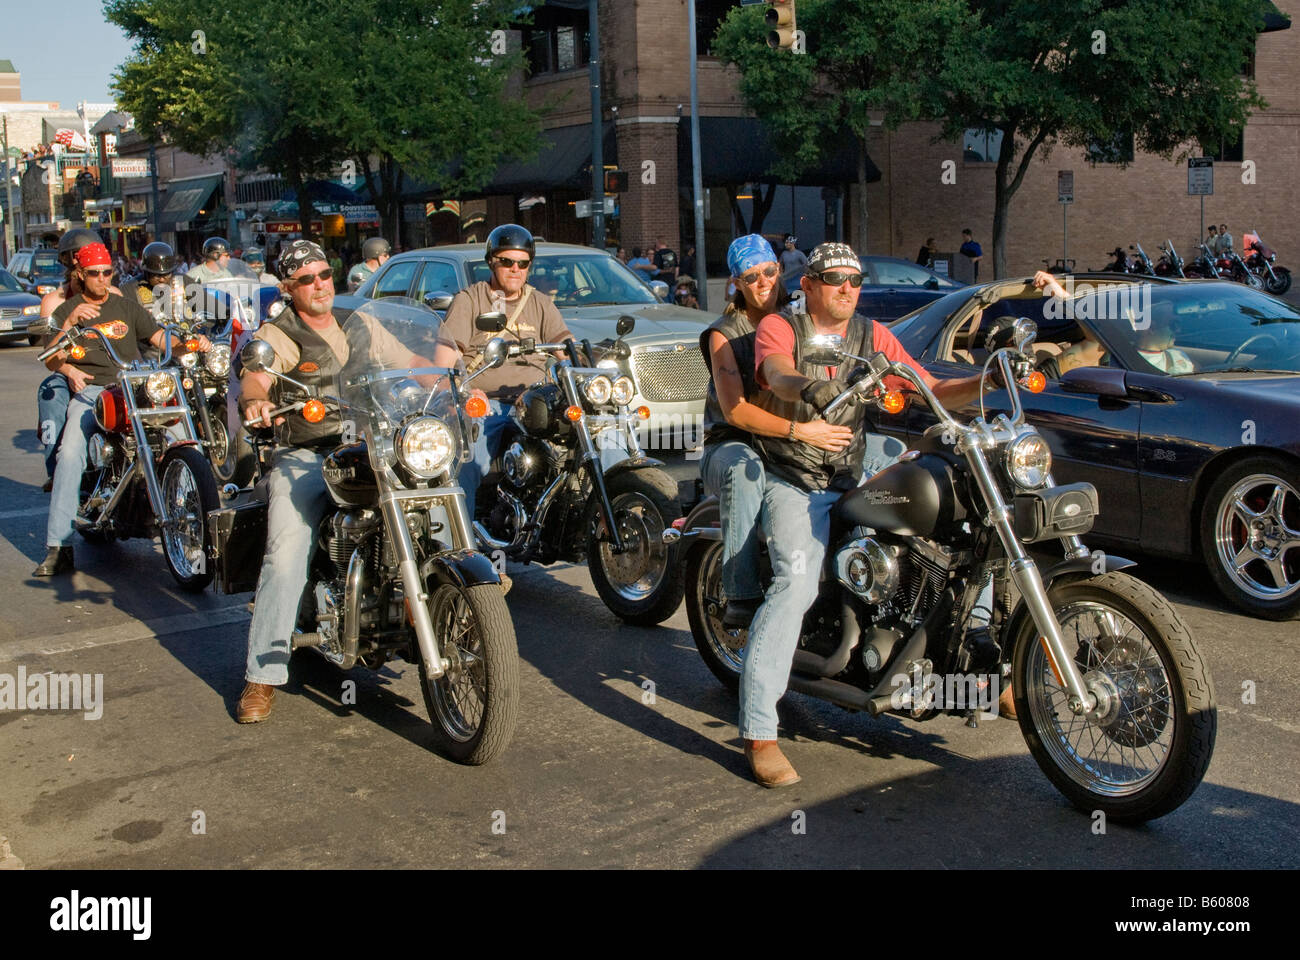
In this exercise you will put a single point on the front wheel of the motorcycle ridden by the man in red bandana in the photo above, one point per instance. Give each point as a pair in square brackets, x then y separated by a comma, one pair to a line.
[189, 495]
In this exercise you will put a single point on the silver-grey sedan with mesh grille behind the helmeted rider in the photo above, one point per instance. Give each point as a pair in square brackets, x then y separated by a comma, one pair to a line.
[592, 291]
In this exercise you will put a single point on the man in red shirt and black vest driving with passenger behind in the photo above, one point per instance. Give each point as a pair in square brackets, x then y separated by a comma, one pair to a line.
[805, 482]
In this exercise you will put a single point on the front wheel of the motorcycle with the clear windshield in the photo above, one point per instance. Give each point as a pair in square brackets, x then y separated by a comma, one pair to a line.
[475, 706]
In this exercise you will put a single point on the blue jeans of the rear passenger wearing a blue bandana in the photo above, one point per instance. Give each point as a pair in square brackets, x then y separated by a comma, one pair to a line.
[735, 473]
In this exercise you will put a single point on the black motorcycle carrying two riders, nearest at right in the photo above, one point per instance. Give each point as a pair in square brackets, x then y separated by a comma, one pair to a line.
[1111, 691]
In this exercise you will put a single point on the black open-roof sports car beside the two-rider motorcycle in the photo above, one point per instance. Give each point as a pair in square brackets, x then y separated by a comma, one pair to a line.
[1178, 400]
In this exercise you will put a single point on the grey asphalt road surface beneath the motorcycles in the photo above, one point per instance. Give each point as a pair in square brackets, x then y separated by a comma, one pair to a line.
[597, 776]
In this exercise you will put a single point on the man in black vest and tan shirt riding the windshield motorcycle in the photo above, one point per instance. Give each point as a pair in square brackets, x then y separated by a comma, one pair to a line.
[311, 345]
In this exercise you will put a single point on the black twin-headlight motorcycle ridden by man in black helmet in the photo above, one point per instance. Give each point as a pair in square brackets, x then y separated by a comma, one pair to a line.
[573, 483]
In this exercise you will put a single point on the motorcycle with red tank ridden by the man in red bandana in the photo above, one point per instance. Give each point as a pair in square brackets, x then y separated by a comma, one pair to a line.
[146, 474]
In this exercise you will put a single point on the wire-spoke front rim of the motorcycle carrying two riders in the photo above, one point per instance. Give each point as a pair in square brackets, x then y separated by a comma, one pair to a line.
[1130, 746]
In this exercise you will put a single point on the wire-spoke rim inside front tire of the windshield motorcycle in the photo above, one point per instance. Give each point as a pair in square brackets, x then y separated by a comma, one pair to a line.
[461, 695]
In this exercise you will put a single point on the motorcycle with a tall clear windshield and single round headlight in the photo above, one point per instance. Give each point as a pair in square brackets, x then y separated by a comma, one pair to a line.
[396, 572]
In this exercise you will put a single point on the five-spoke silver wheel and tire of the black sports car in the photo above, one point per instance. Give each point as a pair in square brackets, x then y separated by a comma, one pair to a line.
[1251, 537]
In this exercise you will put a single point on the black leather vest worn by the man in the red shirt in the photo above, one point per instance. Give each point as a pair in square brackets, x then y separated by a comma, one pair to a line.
[804, 465]
